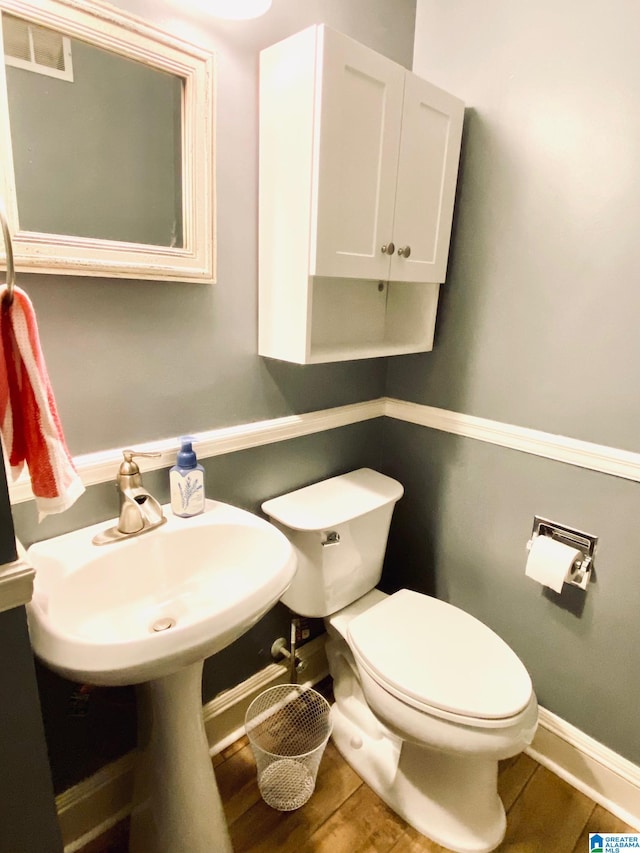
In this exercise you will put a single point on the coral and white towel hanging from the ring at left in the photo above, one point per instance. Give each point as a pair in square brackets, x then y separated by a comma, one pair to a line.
[28, 416]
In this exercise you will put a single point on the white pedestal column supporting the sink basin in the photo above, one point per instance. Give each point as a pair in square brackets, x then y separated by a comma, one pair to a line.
[177, 805]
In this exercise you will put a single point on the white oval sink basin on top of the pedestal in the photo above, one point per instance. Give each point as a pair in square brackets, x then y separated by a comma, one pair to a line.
[145, 607]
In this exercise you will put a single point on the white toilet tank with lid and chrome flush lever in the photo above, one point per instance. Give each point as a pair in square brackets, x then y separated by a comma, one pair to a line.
[339, 529]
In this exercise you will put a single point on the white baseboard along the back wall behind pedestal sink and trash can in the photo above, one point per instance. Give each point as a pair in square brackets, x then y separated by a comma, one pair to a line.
[96, 804]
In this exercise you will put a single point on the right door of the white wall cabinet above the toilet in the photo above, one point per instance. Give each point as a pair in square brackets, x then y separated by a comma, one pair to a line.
[427, 172]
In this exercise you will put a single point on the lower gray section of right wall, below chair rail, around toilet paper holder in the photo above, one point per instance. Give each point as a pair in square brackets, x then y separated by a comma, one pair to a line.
[460, 533]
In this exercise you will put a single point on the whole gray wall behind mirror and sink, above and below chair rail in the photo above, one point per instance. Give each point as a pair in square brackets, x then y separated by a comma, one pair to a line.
[132, 361]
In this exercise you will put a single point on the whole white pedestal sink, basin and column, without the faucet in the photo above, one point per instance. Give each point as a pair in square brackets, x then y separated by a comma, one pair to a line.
[148, 611]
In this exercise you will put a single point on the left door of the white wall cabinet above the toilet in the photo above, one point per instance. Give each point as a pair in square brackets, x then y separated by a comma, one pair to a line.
[359, 108]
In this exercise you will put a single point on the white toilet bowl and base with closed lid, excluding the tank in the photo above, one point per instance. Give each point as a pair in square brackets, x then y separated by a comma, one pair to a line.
[435, 766]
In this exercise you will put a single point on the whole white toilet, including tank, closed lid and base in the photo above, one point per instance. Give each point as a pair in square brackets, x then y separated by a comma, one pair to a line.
[428, 699]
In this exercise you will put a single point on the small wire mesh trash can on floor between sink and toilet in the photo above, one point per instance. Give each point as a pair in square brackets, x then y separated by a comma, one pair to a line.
[288, 727]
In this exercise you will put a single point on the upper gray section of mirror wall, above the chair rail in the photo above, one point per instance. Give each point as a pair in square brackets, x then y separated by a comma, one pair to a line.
[132, 361]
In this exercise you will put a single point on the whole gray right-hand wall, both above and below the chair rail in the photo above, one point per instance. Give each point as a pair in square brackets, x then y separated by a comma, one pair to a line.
[537, 327]
